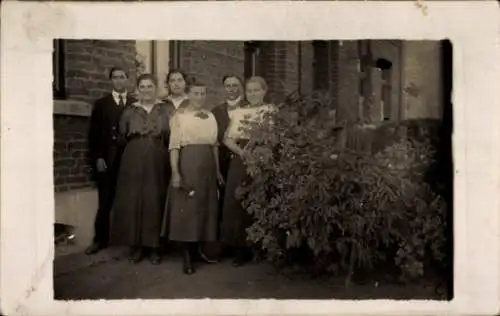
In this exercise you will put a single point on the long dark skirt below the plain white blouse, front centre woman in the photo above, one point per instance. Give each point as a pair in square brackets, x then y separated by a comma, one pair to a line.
[193, 217]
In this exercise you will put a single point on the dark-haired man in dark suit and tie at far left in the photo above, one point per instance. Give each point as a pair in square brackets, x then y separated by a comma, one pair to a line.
[105, 152]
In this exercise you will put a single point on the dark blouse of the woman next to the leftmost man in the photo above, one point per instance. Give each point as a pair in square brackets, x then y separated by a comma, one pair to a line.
[135, 121]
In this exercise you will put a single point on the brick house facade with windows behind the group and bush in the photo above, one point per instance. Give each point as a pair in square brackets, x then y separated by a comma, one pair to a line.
[410, 88]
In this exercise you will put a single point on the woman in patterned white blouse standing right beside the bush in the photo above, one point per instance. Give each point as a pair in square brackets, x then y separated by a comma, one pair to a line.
[236, 219]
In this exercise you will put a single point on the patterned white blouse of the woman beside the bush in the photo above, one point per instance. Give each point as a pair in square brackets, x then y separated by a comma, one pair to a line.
[239, 116]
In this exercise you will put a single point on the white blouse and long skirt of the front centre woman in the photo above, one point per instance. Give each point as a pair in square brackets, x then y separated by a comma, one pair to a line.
[193, 217]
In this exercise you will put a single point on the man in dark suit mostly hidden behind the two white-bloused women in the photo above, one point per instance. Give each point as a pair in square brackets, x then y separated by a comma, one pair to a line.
[234, 97]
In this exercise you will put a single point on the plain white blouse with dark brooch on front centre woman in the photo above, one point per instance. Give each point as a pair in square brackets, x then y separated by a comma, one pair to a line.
[186, 128]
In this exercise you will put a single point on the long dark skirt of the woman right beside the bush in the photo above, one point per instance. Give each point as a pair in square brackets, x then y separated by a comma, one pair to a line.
[235, 219]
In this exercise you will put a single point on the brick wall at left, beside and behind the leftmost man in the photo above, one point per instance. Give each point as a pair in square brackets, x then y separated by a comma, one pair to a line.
[86, 66]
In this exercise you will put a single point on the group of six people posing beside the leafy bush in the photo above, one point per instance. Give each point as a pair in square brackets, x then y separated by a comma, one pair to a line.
[168, 169]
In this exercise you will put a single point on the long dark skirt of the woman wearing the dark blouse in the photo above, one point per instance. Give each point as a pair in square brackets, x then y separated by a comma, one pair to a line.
[140, 193]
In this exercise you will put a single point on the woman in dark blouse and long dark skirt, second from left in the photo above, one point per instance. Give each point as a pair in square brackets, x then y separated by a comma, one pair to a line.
[144, 174]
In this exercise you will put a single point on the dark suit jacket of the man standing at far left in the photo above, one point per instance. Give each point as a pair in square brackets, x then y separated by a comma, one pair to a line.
[104, 138]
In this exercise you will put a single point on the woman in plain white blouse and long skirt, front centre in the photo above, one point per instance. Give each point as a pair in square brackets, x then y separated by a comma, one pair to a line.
[192, 206]
